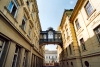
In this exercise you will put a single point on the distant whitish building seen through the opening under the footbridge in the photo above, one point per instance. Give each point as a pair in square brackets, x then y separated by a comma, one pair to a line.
[50, 58]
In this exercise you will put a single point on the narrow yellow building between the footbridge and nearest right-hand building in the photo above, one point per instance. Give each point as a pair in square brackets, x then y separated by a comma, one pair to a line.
[70, 55]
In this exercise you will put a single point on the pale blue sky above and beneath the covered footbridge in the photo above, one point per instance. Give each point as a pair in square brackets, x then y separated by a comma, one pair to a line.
[50, 13]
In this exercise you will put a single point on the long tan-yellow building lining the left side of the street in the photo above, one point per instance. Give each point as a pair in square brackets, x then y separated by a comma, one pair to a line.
[19, 34]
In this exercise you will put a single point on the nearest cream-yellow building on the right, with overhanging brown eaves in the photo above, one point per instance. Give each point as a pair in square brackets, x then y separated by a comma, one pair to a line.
[86, 20]
